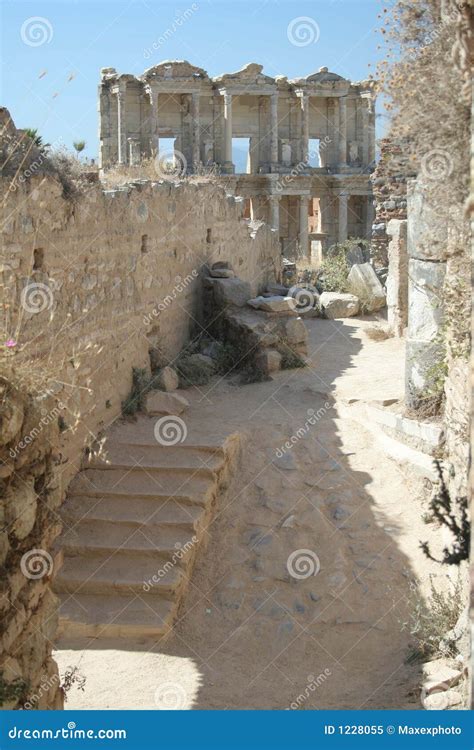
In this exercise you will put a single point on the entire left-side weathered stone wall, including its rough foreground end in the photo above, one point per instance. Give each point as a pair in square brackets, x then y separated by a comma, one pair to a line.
[90, 287]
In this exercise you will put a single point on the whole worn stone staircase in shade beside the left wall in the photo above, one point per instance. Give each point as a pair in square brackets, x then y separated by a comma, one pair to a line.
[134, 520]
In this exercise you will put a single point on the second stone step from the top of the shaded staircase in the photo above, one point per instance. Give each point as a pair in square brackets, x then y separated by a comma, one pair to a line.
[141, 482]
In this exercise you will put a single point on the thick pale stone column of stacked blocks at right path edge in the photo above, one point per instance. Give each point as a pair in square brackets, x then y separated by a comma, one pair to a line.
[427, 239]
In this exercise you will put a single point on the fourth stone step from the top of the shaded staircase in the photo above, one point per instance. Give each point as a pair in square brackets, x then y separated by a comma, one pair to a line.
[167, 542]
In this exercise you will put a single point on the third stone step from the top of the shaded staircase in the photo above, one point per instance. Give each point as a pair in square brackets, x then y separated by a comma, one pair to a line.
[160, 510]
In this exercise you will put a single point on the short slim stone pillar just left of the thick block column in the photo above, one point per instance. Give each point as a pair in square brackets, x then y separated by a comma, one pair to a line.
[397, 279]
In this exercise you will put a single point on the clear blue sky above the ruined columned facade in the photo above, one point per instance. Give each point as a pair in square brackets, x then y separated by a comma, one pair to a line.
[53, 50]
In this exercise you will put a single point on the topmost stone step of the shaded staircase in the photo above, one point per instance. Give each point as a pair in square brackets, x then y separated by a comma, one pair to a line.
[116, 455]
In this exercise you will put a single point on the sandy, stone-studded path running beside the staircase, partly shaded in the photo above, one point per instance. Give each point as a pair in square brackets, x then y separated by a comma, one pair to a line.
[299, 598]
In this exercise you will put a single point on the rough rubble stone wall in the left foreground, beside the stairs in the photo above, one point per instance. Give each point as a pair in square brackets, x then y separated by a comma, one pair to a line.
[28, 608]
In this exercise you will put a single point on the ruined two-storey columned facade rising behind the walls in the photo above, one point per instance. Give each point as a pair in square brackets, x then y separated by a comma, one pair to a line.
[298, 151]
